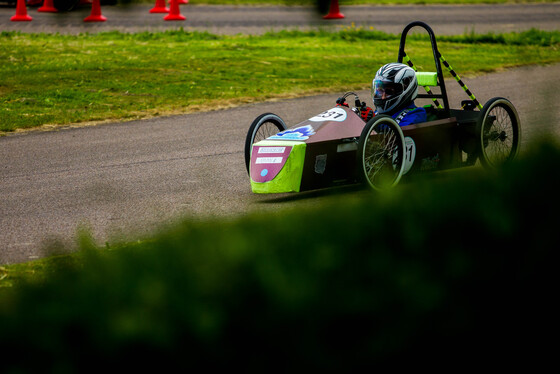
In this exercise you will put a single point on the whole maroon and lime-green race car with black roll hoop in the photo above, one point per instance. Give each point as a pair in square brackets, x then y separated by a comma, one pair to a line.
[337, 147]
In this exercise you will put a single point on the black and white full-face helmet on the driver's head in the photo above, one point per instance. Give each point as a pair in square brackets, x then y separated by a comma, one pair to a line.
[395, 86]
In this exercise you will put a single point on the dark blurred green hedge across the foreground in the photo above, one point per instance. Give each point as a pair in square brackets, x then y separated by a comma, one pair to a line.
[453, 270]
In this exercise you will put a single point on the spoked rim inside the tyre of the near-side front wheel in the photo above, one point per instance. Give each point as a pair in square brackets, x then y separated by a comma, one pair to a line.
[382, 158]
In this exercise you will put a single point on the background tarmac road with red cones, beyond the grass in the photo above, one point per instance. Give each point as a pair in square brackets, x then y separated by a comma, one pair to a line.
[445, 19]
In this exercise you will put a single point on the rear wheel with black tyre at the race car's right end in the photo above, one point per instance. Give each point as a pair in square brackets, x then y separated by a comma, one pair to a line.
[498, 131]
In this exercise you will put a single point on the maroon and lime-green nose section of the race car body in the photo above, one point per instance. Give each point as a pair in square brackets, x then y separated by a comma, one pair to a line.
[319, 152]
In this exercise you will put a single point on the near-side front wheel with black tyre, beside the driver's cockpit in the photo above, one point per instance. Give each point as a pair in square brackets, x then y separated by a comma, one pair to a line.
[380, 153]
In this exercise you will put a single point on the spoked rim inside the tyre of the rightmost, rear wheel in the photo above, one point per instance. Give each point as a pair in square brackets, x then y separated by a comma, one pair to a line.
[499, 137]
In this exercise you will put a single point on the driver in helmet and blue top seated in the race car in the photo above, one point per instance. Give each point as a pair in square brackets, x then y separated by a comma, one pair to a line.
[393, 91]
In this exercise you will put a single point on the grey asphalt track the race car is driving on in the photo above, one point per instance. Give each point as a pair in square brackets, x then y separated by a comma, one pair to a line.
[125, 180]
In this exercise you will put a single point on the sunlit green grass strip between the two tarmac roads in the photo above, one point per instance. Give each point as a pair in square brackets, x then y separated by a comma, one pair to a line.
[64, 79]
